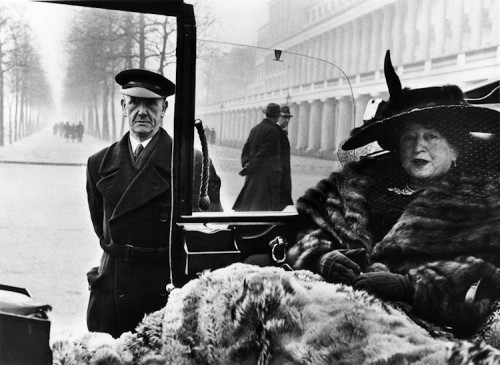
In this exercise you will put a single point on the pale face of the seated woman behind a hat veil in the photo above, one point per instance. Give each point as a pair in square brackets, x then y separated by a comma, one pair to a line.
[425, 154]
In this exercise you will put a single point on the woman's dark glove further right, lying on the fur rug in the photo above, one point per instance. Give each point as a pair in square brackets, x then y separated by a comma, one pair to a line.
[386, 285]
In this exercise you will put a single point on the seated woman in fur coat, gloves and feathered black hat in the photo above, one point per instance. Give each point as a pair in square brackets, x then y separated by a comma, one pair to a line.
[419, 224]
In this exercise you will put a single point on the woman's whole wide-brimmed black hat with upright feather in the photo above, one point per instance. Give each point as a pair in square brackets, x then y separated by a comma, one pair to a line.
[443, 108]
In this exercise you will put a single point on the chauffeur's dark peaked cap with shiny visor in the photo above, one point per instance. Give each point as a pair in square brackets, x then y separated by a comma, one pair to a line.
[144, 84]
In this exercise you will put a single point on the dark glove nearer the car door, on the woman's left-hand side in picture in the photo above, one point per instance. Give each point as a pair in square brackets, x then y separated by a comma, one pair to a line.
[335, 267]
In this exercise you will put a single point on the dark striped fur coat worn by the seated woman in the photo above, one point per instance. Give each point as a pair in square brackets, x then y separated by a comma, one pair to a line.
[444, 238]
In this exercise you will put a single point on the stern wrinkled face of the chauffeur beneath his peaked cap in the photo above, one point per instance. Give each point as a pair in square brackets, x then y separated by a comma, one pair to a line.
[144, 115]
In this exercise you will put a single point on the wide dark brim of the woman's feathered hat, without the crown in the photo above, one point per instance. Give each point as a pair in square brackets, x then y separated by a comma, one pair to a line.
[462, 117]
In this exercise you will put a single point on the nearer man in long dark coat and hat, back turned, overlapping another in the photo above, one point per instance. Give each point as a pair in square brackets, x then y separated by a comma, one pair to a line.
[262, 166]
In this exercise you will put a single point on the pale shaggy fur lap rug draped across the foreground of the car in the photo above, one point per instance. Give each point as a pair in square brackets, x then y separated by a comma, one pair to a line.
[244, 314]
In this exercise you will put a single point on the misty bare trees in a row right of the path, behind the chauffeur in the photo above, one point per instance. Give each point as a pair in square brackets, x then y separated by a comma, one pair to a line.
[102, 43]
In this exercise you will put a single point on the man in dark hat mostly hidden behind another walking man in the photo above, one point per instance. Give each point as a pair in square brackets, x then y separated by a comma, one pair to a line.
[286, 181]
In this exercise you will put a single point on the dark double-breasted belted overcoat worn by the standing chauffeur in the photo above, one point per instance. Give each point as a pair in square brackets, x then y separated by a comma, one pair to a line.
[129, 206]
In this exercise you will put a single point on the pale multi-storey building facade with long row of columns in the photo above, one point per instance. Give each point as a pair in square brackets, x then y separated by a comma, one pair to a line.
[335, 51]
